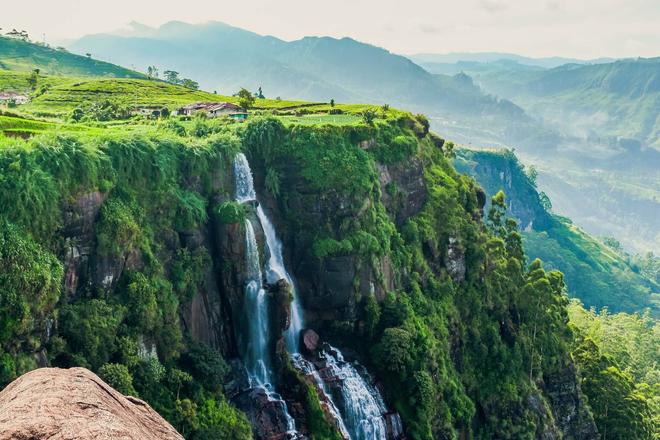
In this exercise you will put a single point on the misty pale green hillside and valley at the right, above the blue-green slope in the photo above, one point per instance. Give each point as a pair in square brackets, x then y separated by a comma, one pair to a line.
[608, 178]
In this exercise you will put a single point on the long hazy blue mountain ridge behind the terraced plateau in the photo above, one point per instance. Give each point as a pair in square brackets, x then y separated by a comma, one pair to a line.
[225, 58]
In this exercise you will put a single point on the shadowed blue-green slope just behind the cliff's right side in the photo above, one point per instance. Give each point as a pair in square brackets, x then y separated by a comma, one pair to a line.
[595, 273]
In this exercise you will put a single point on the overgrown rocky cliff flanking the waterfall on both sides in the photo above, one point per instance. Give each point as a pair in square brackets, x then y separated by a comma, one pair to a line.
[125, 251]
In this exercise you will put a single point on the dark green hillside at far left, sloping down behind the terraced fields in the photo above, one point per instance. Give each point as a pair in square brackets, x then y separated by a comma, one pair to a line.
[22, 55]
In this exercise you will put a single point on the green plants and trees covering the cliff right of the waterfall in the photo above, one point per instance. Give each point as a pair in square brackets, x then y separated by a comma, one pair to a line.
[406, 339]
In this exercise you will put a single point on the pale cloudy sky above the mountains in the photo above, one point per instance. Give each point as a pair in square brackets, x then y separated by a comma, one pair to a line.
[569, 28]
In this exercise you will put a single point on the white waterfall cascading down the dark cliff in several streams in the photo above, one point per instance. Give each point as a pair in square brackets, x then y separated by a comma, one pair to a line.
[356, 406]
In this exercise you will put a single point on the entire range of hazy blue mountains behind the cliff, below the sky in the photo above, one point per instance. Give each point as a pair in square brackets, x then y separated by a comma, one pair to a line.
[591, 127]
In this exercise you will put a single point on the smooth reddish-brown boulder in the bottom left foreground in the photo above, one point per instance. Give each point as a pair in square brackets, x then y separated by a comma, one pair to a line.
[58, 404]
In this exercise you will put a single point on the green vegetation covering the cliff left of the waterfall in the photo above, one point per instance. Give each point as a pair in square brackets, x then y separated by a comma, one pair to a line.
[128, 331]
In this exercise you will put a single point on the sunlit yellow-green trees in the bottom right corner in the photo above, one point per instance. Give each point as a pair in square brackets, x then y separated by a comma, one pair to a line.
[618, 355]
